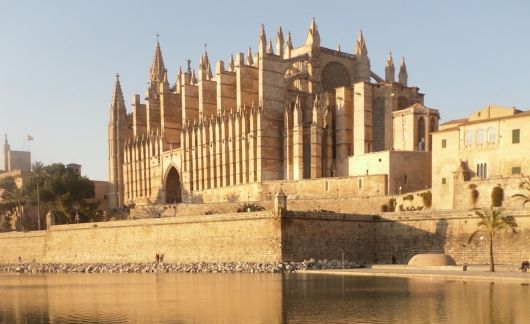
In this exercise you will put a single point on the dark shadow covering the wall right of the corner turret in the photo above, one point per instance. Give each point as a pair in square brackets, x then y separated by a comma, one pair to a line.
[361, 238]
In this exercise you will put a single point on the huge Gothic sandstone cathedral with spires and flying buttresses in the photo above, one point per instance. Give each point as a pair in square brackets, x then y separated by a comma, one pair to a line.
[283, 113]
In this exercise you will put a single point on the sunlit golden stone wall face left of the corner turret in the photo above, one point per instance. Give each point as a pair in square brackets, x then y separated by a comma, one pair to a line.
[231, 237]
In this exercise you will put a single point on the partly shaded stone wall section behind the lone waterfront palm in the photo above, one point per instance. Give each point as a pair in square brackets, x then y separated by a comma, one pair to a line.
[403, 235]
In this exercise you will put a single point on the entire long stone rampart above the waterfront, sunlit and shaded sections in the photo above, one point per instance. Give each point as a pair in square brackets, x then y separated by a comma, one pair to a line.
[264, 237]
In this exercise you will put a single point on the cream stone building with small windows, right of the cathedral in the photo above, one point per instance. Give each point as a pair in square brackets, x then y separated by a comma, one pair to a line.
[478, 153]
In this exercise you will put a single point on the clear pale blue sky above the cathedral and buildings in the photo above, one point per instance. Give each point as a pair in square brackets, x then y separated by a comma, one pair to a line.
[58, 59]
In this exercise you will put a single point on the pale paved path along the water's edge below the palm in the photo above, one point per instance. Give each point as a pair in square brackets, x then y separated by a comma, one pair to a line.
[504, 274]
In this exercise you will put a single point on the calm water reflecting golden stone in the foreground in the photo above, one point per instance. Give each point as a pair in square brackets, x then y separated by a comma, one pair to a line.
[256, 298]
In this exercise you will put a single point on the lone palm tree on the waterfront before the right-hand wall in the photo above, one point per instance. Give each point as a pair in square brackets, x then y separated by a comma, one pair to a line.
[491, 222]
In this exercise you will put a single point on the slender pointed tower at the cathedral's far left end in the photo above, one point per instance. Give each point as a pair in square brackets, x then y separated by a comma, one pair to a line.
[117, 129]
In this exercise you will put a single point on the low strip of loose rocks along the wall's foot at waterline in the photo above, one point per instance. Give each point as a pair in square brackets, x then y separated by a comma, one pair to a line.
[153, 267]
